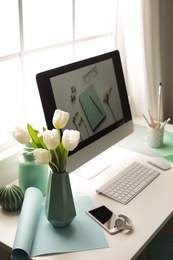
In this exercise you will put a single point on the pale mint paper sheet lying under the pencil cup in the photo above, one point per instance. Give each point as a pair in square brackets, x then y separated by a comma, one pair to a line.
[137, 142]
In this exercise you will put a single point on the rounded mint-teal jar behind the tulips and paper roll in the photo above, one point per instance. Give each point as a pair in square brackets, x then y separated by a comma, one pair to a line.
[31, 174]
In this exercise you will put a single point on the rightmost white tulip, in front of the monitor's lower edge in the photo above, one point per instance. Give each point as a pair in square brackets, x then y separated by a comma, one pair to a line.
[70, 139]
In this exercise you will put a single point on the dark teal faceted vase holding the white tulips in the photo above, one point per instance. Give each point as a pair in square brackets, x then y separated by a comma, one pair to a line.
[59, 205]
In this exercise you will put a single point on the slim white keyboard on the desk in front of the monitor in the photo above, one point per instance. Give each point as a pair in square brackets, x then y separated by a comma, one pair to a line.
[128, 183]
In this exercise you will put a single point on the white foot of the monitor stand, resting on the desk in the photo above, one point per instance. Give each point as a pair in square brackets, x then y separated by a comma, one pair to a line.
[93, 167]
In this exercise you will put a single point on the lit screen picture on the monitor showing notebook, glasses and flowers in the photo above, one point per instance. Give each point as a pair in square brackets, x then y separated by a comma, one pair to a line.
[90, 94]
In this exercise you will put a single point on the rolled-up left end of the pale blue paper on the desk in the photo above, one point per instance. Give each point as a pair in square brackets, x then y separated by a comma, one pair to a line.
[27, 224]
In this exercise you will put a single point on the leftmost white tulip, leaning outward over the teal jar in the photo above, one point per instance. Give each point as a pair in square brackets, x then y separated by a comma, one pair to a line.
[21, 135]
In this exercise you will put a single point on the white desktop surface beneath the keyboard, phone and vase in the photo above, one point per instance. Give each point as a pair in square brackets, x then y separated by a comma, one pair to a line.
[149, 211]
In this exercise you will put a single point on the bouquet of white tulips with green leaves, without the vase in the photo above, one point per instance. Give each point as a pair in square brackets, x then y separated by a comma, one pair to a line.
[49, 146]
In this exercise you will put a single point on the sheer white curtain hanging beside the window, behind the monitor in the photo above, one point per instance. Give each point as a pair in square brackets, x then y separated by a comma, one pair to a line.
[138, 39]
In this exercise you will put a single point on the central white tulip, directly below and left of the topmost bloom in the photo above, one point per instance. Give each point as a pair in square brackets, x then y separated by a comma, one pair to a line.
[51, 139]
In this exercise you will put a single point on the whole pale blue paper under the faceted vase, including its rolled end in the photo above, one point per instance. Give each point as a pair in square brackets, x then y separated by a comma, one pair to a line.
[36, 236]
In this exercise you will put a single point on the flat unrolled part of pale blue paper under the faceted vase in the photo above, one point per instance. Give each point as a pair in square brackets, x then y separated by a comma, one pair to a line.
[82, 234]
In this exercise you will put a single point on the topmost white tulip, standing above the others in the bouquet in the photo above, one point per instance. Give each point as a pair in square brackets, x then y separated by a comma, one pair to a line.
[60, 118]
